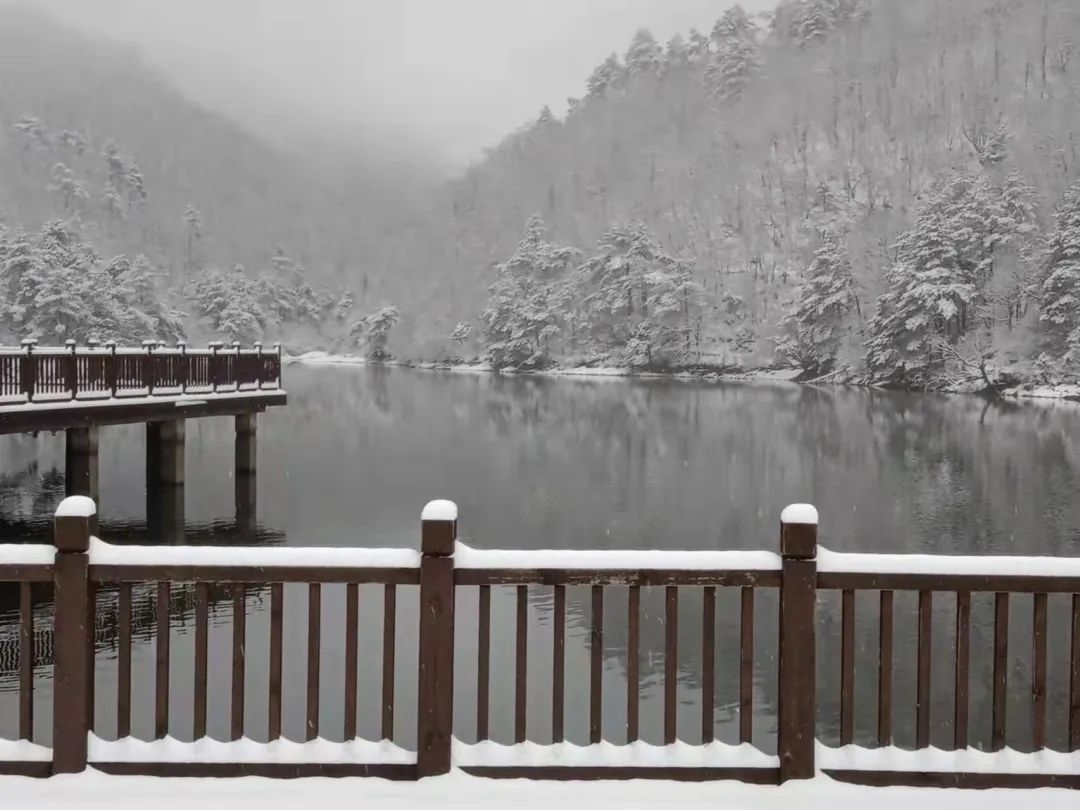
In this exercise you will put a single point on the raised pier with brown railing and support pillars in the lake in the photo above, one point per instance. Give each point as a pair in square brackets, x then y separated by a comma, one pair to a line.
[79, 389]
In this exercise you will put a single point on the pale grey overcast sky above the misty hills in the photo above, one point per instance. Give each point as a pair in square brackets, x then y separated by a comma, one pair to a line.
[441, 79]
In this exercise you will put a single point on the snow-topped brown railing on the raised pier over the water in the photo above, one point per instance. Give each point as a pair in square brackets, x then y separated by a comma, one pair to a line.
[33, 374]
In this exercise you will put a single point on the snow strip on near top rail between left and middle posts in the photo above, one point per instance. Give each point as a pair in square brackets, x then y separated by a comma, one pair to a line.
[103, 553]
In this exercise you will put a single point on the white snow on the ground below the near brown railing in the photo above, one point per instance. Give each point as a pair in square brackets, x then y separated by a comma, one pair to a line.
[92, 791]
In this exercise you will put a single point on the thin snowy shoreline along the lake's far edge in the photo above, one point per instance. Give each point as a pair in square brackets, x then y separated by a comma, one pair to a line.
[1046, 395]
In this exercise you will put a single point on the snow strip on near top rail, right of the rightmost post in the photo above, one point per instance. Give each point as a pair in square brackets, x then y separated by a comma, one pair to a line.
[831, 562]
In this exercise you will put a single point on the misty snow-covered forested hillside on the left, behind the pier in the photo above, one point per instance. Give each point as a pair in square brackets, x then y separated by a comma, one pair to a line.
[128, 212]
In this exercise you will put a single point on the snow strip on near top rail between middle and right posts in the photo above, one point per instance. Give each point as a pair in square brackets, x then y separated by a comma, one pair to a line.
[616, 561]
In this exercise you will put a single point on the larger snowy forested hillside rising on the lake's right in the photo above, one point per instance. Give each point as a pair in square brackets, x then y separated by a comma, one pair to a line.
[868, 185]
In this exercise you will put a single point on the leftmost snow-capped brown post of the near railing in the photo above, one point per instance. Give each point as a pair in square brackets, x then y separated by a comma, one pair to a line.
[75, 522]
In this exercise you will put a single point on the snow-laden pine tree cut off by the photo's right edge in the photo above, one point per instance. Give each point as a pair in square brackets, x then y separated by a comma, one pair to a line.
[1060, 313]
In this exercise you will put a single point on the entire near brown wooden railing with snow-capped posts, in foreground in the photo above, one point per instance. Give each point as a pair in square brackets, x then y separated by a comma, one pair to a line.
[444, 572]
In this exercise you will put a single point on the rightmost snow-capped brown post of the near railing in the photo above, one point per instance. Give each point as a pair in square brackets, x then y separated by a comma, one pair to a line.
[799, 593]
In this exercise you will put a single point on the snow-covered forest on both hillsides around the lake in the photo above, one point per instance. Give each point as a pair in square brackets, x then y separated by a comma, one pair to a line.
[868, 190]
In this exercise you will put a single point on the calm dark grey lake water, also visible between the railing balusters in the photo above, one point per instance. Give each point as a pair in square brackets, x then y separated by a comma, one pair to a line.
[601, 464]
